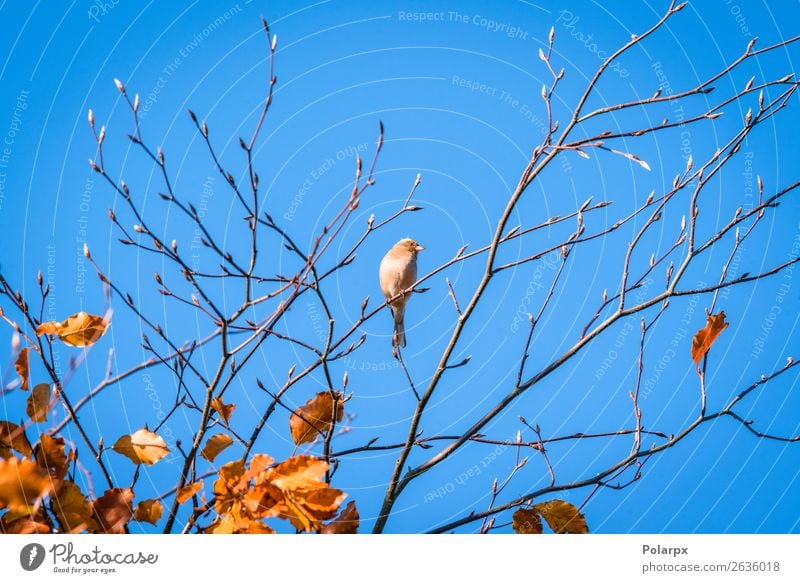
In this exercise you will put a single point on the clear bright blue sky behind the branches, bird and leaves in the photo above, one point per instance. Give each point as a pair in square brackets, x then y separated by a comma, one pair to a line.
[459, 95]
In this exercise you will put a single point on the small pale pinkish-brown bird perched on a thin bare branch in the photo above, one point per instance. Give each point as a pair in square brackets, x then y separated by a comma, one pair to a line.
[398, 272]
